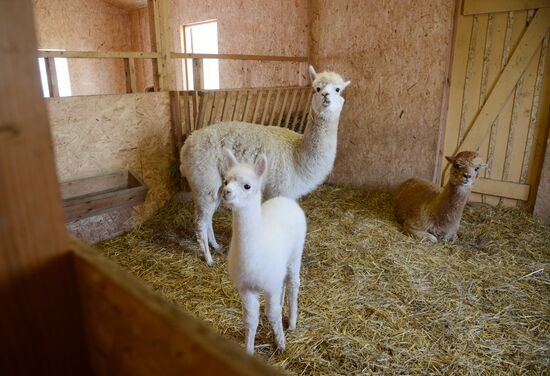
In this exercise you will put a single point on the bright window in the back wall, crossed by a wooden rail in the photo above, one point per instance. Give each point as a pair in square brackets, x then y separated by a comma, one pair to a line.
[201, 38]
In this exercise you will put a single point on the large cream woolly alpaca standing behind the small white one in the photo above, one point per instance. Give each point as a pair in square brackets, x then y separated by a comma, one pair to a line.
[298, 163]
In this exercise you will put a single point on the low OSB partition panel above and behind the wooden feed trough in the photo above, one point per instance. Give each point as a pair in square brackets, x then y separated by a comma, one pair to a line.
[94, 135]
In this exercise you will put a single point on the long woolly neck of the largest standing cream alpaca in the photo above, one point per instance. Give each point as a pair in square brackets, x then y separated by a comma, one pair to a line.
[318, 148]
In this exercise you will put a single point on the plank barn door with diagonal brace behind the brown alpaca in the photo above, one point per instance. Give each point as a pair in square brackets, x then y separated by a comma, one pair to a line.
[499, 95]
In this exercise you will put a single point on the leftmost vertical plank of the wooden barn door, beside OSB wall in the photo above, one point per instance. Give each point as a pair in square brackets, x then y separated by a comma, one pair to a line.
[458, 81]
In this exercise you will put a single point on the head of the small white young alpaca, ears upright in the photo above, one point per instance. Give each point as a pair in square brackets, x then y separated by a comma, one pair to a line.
[242, 181]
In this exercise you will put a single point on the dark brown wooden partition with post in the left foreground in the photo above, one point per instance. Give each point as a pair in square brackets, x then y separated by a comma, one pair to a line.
[64, 309]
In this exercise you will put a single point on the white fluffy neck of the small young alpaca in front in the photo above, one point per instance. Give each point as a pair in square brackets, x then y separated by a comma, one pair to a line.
[247, 228]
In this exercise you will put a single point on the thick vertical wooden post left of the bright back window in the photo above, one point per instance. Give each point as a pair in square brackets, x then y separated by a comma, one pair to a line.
[161, 42]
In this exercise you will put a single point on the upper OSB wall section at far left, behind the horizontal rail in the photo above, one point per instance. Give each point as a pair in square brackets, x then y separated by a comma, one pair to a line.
[87, 26]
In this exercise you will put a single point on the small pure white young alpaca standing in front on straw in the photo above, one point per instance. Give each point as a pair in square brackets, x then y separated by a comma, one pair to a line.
[266, 247]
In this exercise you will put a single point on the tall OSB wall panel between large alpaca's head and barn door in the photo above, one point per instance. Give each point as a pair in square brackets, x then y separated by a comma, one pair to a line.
[395, 54]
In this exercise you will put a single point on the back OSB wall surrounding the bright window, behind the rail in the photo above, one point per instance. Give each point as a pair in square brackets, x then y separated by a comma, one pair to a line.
[244, 27]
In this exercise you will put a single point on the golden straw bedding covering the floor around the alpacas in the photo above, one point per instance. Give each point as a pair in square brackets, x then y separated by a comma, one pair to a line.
[374, 300]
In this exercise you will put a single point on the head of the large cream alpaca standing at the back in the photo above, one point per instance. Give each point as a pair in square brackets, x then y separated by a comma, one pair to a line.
[328, 87]
